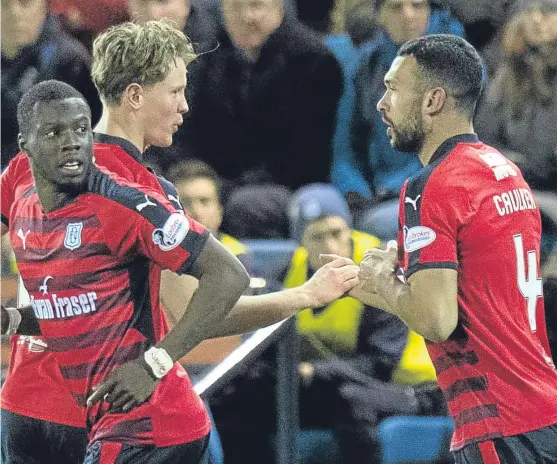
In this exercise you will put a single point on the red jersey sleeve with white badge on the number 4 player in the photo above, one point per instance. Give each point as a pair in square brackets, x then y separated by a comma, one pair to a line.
[433, 214]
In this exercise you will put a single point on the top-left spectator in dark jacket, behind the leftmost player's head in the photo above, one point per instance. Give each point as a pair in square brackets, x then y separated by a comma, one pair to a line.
[34, 49]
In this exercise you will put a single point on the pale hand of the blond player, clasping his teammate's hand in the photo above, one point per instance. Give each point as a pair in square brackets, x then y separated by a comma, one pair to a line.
[331, 281]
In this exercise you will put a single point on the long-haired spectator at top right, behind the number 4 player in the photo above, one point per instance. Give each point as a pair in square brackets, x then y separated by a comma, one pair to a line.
[523, 95]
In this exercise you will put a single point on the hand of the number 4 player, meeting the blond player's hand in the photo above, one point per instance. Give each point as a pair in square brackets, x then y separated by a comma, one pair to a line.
[377, 269]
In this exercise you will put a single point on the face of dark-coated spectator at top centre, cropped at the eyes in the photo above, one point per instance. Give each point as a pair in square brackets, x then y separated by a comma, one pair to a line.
[251, 22]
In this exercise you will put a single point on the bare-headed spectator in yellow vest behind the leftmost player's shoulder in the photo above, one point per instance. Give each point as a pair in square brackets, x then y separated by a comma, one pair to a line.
[199, 187]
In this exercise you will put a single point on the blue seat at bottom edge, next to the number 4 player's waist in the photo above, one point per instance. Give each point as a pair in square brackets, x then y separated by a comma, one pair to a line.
[415, 439]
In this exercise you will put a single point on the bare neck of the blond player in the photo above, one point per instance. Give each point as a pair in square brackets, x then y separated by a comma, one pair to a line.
[119, 122]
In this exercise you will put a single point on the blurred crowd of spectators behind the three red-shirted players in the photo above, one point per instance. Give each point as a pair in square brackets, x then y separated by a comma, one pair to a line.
[283, 141]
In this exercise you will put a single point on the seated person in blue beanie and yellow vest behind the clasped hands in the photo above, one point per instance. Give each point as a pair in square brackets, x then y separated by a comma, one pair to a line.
[358, 361]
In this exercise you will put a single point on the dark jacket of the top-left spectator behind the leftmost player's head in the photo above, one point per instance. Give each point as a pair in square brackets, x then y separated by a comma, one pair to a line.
[56, 55]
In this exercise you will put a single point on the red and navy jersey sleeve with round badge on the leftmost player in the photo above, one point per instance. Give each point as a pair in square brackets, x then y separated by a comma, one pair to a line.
[143, 221]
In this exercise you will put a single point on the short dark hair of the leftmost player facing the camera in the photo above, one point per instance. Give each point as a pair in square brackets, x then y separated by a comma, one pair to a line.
[43, 92]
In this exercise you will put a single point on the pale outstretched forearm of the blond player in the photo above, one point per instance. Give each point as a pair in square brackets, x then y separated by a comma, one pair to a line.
[254, 312]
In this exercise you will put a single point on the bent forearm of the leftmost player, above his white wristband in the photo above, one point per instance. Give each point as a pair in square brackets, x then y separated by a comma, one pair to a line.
[199, 323]
